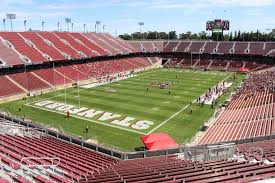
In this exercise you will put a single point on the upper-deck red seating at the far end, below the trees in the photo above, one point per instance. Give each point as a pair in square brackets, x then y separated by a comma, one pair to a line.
[252, 48]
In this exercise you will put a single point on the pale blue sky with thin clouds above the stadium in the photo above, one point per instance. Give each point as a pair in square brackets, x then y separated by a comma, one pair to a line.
[123, 15]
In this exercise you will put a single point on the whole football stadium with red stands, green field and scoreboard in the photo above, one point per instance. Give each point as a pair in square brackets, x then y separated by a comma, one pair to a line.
[89, 106]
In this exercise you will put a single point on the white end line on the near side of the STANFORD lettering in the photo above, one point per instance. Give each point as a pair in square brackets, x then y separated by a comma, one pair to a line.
[121, 128]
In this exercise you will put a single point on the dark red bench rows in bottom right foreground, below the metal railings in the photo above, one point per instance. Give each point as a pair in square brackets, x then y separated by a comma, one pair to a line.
[170, 169]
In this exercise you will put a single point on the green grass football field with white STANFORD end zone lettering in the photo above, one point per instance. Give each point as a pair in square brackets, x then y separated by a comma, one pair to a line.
[130, 98]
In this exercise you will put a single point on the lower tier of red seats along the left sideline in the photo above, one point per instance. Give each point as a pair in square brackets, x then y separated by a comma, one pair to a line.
[39, 80]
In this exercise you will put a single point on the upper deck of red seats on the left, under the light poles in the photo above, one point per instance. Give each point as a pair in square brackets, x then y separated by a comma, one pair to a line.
[36, 47]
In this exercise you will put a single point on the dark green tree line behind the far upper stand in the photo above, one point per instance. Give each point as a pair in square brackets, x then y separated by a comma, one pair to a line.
[216, 36]
